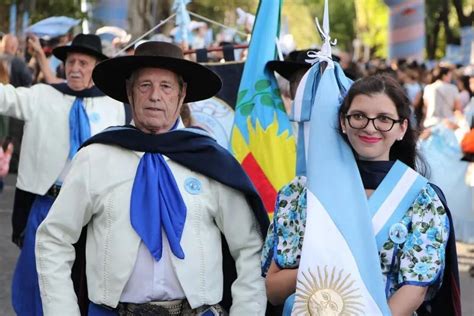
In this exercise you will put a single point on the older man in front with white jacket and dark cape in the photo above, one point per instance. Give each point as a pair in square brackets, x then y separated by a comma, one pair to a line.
[156, 204]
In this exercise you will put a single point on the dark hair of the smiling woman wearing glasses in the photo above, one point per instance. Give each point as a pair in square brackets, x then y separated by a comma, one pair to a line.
[404, 150]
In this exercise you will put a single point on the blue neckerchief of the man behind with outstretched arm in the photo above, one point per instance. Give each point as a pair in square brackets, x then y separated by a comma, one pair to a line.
[79, 126]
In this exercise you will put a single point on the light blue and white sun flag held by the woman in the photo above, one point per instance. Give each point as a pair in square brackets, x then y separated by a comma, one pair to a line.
[339, 271]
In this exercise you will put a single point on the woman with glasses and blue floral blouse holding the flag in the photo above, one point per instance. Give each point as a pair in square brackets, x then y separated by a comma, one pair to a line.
[374, 120]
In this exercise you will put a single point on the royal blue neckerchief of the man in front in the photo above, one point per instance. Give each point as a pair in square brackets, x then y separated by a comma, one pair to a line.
[157, 203]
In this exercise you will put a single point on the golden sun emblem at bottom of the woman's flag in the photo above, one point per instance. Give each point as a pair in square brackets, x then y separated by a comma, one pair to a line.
[326, 294]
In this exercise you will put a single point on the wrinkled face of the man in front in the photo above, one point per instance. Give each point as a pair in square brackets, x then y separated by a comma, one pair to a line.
[156, 96]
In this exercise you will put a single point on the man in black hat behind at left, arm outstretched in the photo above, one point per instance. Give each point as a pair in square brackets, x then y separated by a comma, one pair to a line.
[58, 118]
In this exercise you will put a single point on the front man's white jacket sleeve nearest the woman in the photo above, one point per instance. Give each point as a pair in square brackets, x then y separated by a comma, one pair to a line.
[238, 223]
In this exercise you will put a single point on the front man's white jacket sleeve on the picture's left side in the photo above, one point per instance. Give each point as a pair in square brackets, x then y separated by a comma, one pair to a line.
[55, 237]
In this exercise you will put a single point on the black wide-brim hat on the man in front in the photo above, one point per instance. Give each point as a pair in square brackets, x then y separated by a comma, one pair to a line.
[111, 75]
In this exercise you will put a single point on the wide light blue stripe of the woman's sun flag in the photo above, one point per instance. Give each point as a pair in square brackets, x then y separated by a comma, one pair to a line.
[333, 177]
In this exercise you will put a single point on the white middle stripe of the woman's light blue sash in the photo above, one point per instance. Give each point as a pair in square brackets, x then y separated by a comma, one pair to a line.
[391, 203]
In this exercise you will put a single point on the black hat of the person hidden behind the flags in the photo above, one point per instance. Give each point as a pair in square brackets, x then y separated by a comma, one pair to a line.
[293, 63]
